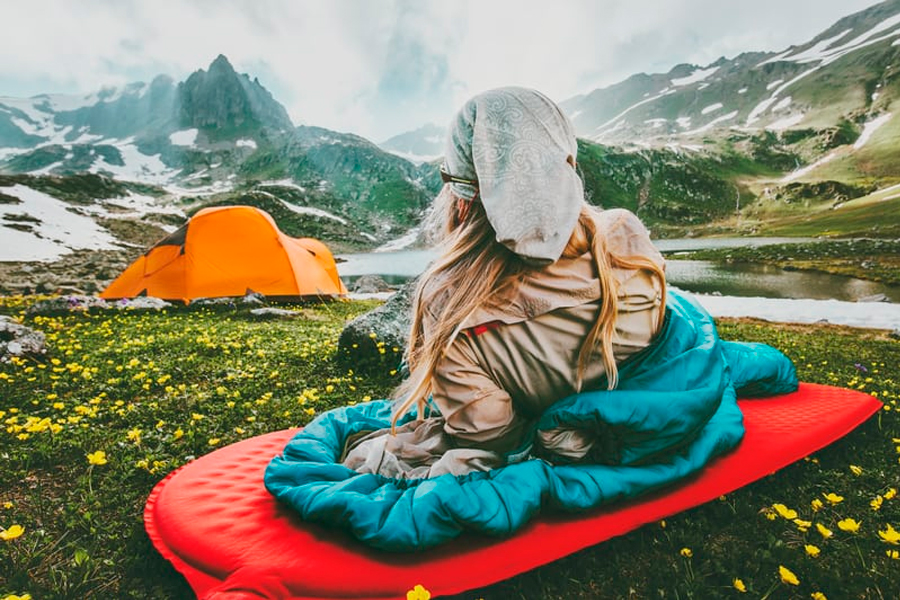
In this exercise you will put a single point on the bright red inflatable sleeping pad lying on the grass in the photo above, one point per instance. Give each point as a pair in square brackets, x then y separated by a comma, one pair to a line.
[220, 528]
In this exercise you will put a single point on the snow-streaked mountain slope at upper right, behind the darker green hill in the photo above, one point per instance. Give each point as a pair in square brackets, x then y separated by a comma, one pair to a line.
[849, 71]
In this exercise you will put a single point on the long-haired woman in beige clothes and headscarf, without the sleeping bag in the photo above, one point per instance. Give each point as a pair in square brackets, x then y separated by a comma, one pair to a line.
[535, 296]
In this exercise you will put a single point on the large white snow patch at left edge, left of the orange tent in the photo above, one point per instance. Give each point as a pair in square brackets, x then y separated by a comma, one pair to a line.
[54, 228]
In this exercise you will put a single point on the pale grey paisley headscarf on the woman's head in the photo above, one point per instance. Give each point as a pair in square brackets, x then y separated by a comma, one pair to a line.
[515, 142]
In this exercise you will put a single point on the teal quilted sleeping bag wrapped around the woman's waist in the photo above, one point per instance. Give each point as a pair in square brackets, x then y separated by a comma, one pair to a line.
[674, 410]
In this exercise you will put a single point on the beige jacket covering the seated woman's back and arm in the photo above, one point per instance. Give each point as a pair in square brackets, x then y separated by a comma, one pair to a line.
[519, 353]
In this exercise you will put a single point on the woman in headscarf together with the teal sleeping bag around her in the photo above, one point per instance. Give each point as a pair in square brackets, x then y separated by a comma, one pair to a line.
[549, 368]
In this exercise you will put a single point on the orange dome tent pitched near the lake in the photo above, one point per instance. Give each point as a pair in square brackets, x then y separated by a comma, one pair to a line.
[229, 251]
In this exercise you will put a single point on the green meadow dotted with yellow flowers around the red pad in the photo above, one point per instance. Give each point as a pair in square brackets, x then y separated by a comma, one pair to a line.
[123, 398]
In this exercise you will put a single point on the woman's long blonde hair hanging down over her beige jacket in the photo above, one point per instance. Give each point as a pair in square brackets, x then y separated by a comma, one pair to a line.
[472, 267]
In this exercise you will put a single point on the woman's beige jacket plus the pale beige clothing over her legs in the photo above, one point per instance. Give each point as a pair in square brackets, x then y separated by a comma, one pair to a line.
[518, 356]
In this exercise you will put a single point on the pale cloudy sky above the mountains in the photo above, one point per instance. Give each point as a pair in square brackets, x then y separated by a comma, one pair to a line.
[381, 67]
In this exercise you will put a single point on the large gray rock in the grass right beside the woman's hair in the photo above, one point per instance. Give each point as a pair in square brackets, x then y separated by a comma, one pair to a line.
[390, 323]
